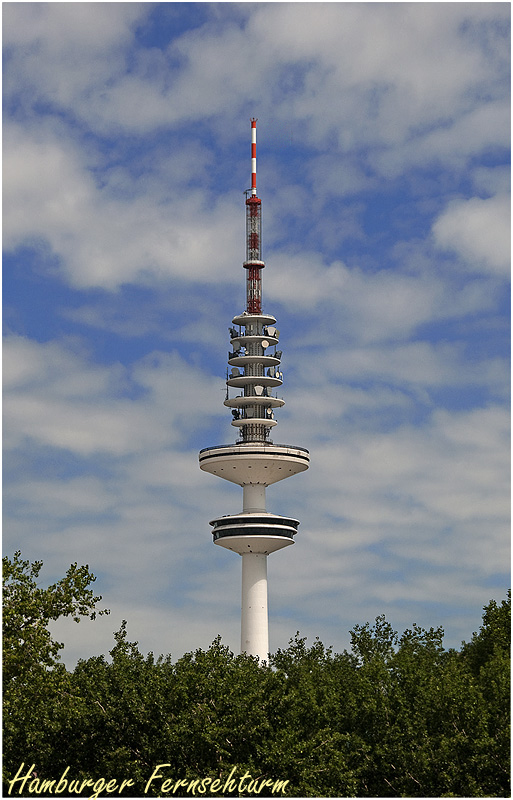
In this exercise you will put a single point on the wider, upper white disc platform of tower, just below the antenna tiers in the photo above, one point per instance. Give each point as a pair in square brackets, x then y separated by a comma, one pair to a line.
[253, 462]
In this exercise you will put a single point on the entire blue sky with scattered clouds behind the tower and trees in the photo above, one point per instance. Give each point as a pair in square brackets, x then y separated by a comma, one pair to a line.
[383, 169]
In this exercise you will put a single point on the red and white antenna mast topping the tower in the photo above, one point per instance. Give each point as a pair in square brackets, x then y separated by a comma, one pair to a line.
[253, 262]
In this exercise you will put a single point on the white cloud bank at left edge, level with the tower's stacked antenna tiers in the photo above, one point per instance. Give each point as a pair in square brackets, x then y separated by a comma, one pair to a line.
[66, 402]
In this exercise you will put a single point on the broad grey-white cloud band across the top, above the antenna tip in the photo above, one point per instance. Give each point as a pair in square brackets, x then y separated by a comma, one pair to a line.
[395, 69]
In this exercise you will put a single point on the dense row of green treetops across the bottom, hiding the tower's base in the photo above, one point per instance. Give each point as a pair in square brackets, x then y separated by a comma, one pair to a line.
[397, 716]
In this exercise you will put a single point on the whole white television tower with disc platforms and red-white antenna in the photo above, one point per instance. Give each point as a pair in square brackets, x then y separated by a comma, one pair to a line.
[254, 461]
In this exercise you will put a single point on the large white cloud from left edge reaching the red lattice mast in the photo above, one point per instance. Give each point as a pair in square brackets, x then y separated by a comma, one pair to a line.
[103, 239]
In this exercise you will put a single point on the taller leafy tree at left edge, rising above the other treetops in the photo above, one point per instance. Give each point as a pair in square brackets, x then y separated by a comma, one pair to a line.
[36, 696]
